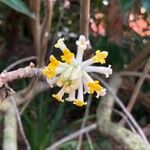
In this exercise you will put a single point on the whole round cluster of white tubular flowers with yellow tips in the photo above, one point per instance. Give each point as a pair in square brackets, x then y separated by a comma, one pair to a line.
[72, 74]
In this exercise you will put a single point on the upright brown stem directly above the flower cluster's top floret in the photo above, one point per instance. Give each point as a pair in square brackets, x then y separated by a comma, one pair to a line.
[84, 17]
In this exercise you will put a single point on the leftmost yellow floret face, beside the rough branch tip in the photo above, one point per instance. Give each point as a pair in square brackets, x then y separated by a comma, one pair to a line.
[49, 72]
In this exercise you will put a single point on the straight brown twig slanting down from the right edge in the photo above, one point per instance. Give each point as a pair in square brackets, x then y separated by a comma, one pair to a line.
[138, 87]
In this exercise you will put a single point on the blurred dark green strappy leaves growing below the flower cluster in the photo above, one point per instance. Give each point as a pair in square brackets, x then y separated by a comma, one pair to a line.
[42, 123]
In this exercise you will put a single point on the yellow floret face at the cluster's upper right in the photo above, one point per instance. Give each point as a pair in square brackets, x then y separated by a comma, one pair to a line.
[100, 57]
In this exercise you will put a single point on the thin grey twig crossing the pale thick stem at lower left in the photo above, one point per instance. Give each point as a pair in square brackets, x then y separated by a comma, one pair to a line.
[20, 123]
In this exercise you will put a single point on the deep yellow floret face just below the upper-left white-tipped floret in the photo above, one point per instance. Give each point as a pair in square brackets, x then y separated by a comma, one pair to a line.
[68, 56]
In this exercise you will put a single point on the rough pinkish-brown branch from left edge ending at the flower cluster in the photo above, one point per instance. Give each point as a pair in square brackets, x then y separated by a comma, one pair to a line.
[29, 71]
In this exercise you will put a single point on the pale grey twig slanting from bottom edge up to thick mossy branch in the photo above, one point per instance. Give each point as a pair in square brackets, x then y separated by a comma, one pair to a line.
[71, 136]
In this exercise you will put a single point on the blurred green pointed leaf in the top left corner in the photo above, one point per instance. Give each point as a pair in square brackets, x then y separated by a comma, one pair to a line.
[19, 6]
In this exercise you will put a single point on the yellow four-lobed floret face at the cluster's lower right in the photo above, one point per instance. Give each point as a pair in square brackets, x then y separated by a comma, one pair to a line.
[94, 86]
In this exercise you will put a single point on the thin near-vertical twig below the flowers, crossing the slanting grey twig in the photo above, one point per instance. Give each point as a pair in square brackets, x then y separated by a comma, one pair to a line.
[84, 121]
